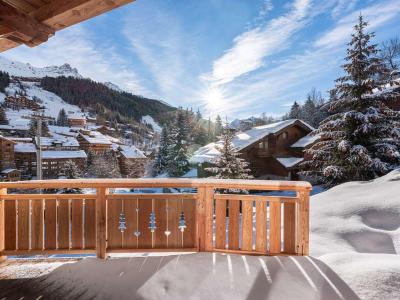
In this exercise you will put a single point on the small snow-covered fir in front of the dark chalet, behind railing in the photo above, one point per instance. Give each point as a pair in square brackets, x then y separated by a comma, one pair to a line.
[229, 164]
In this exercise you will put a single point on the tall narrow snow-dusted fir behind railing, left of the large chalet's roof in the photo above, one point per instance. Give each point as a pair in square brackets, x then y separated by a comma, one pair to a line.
[178, 160]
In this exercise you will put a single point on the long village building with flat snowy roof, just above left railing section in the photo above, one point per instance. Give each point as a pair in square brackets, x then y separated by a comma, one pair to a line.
[54, 162]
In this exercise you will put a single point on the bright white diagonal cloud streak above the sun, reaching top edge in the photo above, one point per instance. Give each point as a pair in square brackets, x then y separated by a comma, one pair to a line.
[251, 47]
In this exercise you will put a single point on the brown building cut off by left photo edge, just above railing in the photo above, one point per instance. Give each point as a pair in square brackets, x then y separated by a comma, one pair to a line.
[8, 172]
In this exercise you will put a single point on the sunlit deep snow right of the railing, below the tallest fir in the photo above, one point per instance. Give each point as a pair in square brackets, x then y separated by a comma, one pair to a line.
[355, 230]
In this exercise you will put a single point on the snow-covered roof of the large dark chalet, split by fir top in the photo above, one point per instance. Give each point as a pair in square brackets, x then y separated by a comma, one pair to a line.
[243, 139]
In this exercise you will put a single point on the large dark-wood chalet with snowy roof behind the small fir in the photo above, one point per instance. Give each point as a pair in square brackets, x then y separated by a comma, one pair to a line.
[268, 149]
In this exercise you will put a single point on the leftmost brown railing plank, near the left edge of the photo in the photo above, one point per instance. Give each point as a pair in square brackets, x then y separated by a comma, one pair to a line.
[10, 225]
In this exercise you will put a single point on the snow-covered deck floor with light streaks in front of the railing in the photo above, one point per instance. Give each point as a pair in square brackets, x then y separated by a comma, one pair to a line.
[186, 276]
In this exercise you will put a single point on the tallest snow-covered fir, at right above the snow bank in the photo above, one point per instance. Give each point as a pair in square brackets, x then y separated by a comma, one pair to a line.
[361, 139]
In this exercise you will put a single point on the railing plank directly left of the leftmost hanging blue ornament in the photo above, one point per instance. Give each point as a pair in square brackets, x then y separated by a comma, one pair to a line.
[114, 235]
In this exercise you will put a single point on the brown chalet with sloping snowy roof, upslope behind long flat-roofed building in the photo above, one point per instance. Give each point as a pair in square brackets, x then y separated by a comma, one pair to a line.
[93, 141]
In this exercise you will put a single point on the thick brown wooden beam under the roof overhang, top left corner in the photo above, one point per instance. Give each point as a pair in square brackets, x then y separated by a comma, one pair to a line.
[23, 28]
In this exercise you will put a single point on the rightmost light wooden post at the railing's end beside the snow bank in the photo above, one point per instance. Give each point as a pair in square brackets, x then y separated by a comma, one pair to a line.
[303, 237]
